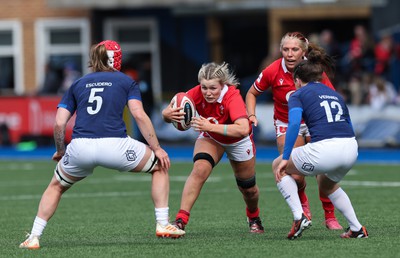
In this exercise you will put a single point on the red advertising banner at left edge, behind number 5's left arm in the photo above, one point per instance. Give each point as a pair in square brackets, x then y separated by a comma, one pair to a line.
[31, 116]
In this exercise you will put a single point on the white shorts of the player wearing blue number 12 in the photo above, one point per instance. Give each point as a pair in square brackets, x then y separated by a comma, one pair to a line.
[332, 157]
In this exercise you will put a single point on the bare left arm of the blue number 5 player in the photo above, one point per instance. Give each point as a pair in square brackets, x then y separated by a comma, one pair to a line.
[62, 117]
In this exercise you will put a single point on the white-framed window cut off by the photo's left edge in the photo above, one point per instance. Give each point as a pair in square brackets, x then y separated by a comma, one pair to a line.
[11, 72]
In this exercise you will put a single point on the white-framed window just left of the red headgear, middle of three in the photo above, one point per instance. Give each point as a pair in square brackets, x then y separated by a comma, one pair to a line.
[62, 51]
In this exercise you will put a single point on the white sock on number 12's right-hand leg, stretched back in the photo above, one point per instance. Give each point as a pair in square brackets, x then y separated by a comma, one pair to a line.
[342, 202]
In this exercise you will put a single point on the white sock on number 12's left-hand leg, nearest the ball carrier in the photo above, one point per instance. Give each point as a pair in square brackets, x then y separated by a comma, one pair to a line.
[288, 188]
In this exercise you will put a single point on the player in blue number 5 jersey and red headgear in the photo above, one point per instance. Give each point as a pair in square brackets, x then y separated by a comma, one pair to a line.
[100, 139]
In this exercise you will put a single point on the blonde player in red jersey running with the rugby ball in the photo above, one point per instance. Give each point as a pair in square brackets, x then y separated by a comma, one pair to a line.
[223, 127]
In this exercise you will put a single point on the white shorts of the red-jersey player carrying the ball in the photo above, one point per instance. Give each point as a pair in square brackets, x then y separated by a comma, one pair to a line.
[242, 150]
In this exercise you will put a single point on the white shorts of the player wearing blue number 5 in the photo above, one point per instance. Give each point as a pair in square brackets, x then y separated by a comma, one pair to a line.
[84, 154]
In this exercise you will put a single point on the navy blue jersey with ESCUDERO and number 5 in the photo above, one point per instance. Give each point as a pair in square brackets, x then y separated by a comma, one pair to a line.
[99, 100]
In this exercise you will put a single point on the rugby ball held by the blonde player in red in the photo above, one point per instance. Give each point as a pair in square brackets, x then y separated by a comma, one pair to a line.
[182, 99]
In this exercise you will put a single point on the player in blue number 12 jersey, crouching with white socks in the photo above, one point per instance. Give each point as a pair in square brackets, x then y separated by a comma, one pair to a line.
[332, 152]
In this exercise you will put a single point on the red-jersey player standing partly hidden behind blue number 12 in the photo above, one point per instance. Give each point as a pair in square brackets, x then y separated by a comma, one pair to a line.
[278, 76]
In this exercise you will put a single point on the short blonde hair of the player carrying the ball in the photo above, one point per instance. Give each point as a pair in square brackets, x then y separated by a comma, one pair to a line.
[221, 72]
